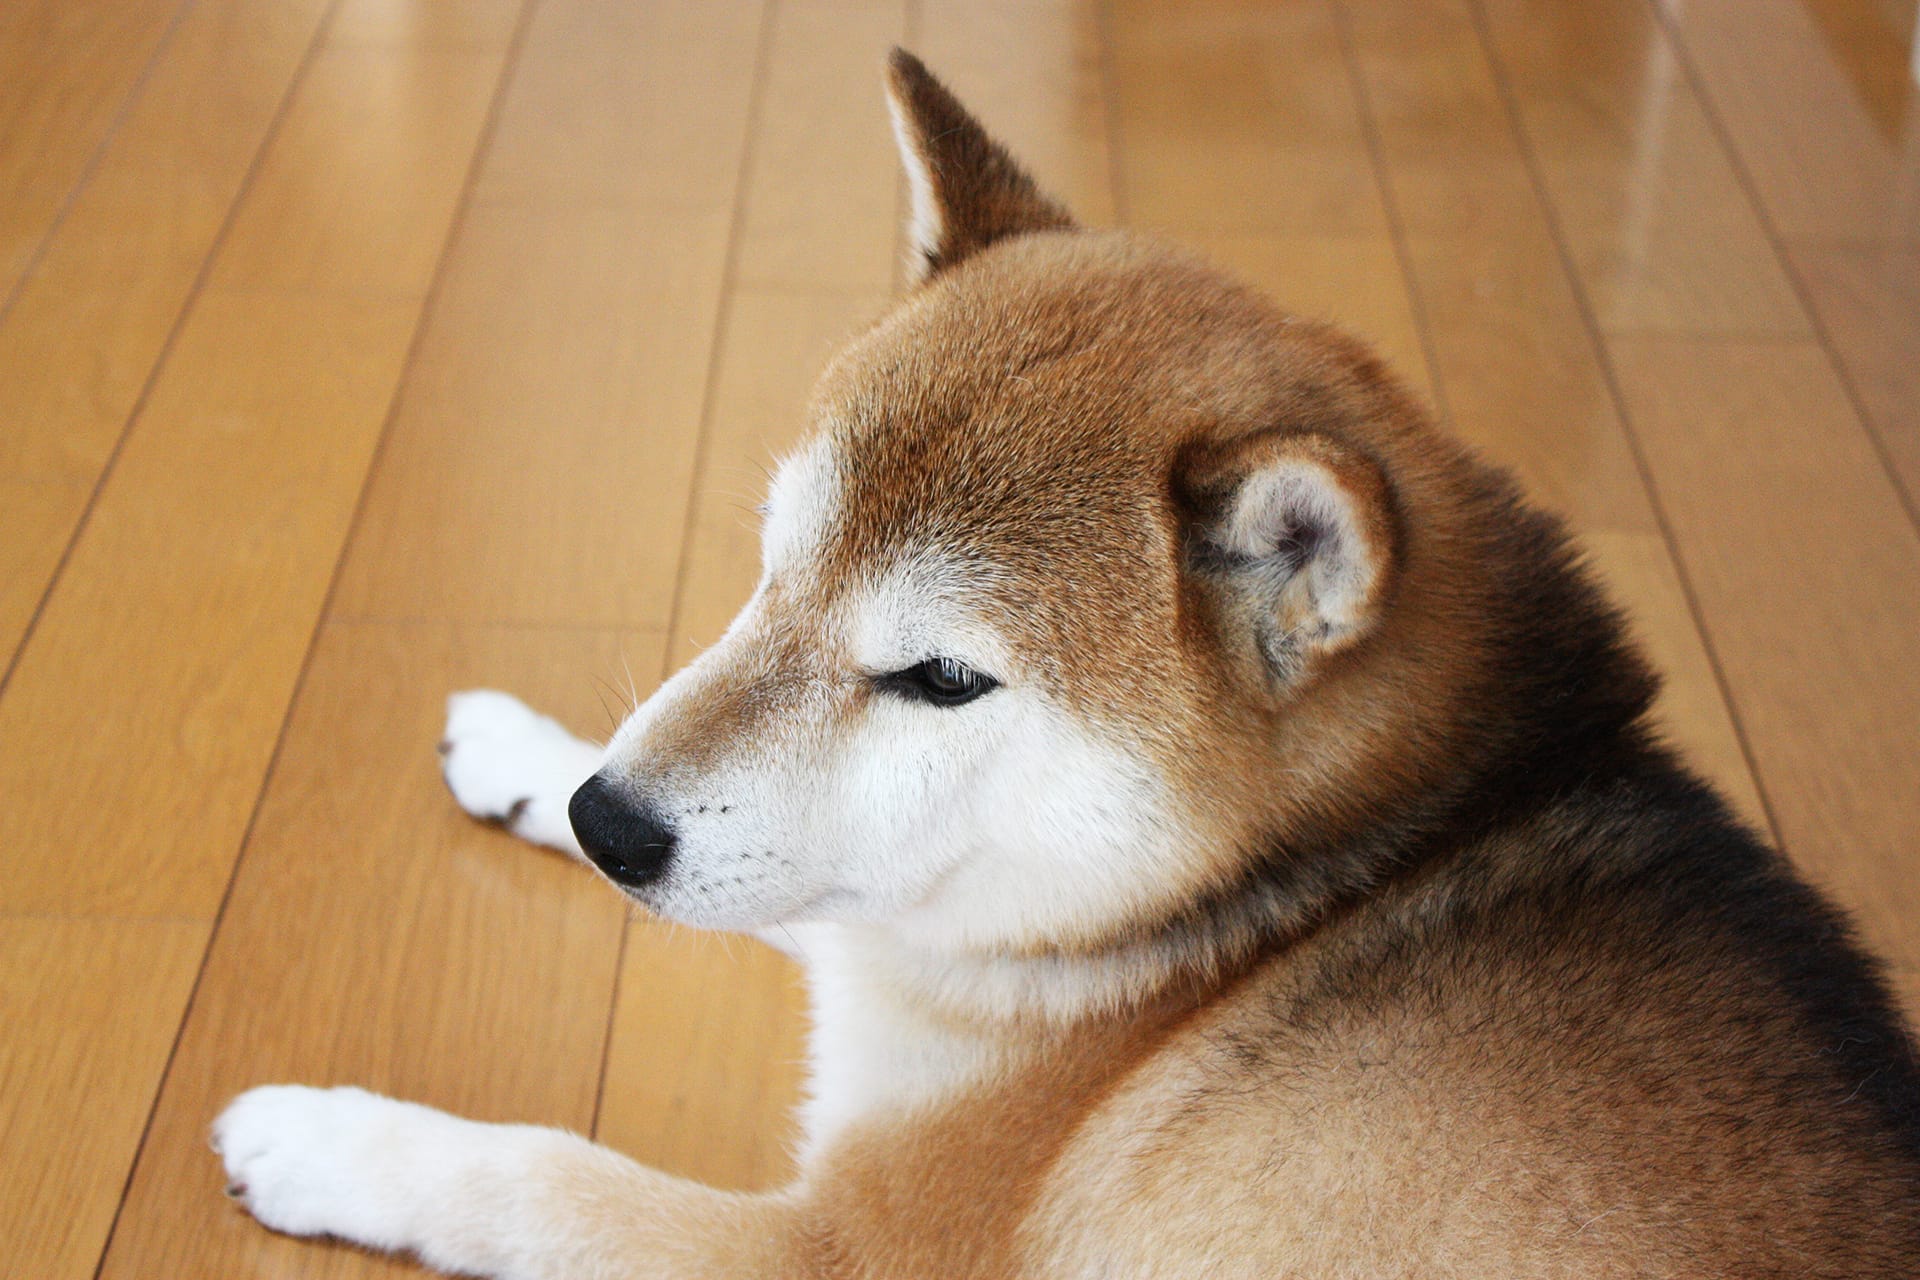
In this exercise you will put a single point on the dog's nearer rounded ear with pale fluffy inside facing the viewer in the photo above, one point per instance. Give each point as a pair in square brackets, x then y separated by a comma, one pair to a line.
[1299, 534]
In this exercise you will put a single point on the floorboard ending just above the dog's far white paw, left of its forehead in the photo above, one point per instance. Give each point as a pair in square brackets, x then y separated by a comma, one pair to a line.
[540, 456]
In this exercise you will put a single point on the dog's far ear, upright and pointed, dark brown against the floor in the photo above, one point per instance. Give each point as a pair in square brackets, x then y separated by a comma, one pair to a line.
[967, 191]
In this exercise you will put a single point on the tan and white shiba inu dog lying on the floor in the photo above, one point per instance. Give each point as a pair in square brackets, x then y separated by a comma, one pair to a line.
[1222, 828]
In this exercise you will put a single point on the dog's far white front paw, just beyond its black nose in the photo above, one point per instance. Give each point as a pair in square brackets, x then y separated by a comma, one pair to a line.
[506, 763]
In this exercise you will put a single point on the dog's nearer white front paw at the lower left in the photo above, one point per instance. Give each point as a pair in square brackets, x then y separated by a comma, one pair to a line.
[320, 1162]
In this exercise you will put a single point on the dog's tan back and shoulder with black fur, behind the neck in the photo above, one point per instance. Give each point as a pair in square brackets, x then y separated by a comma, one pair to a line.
[1616, 1035]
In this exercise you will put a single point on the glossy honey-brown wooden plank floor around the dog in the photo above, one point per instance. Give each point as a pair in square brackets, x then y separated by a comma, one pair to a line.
[354, 352]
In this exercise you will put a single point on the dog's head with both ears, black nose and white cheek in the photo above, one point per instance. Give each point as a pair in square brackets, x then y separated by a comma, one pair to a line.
[1042, 592]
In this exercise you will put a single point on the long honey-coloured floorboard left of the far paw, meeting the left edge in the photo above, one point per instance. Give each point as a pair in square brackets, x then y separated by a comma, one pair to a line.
[187, 609]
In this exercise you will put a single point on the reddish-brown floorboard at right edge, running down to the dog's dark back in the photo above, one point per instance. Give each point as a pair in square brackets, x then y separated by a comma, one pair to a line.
[1810, 577]
